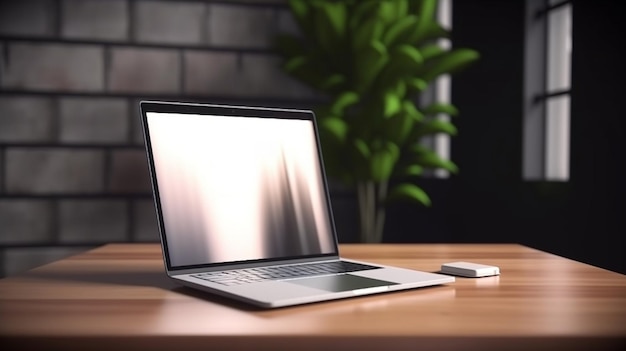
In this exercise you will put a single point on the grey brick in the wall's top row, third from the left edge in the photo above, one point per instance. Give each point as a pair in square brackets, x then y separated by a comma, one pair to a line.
[176, 22]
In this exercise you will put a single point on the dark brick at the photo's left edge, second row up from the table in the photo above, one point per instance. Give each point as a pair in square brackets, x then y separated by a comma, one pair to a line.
[25, 221]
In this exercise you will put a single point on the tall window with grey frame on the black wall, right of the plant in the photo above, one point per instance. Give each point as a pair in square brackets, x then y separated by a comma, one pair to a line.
[547, 89]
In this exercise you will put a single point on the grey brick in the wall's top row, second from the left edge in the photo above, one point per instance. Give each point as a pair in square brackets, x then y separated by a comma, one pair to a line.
[95, 19]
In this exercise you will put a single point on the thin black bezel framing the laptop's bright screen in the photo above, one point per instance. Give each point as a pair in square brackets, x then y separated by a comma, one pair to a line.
[237, 111]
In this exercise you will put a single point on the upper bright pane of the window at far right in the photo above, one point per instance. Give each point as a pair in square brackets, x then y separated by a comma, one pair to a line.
[559, 48]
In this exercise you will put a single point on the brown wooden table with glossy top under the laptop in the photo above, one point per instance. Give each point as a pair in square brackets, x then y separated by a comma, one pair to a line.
[117, 297]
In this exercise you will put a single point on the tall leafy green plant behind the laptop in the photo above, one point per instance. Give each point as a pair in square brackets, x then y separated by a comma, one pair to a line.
[372, 59]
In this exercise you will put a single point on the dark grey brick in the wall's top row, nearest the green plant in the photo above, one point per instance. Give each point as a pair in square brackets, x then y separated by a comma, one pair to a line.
[241, 26]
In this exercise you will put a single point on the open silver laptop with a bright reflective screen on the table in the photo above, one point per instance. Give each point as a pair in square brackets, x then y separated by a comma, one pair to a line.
[243, 207]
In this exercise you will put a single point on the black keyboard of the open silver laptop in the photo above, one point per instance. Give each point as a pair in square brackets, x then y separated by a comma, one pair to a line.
[253, 275]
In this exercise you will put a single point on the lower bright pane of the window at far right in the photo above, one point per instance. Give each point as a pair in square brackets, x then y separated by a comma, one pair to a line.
[557, 138]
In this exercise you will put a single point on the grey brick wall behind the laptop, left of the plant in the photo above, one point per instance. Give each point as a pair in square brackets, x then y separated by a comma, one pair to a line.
[73, 172]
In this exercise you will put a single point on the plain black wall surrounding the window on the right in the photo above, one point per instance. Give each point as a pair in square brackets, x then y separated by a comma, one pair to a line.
[582, 219]
